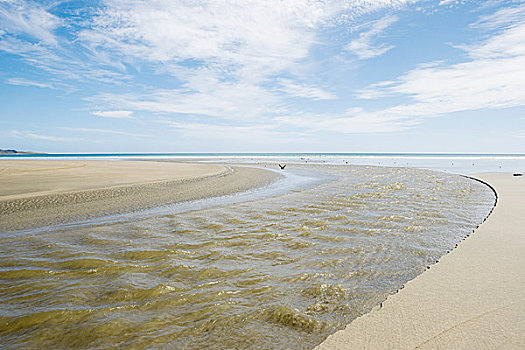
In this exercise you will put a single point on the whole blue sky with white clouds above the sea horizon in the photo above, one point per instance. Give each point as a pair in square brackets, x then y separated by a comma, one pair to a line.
[425, 76]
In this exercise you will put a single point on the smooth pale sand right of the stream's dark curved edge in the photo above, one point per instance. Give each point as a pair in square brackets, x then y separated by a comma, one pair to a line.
[473, 298]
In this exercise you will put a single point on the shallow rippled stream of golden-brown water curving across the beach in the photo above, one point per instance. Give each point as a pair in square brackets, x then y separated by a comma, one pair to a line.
[273, 273]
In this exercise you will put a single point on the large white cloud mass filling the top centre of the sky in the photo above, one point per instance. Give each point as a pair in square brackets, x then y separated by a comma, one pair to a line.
[226, 54]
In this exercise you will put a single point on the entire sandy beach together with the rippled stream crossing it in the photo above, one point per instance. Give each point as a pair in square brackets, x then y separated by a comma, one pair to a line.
[329, 252]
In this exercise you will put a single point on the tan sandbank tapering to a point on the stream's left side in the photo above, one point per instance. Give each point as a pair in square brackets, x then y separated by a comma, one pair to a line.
[35, 193]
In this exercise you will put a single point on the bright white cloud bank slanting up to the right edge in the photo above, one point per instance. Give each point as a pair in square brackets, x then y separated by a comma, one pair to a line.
[492, 77]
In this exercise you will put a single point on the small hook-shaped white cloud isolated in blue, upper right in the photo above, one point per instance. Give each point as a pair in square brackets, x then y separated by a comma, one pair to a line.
[364, 46]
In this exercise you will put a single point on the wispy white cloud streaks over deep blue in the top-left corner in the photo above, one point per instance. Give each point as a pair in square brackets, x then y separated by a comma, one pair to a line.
[31, 31]
